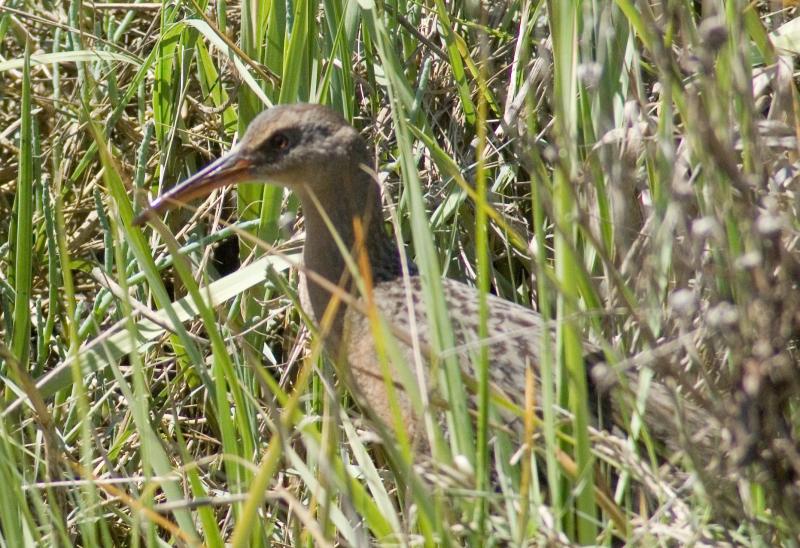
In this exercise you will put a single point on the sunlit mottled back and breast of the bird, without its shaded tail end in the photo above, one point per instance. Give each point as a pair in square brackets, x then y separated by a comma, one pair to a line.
[513, 343]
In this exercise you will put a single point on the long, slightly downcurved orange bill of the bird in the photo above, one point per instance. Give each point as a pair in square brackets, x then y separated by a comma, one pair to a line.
[226, 171]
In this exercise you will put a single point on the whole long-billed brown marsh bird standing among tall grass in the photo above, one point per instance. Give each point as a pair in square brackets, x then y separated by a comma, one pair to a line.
[317, 154]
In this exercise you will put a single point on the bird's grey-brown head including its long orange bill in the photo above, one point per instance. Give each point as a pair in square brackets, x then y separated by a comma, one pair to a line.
[298, 146]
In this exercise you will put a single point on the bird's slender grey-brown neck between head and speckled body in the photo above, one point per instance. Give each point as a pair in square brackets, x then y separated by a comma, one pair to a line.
[347, 203]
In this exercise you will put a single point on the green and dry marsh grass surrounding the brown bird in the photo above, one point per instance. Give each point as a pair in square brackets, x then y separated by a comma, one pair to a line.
[627, 168]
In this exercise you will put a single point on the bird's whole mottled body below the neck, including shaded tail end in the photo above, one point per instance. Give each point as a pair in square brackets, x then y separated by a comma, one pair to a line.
[514, 343]
